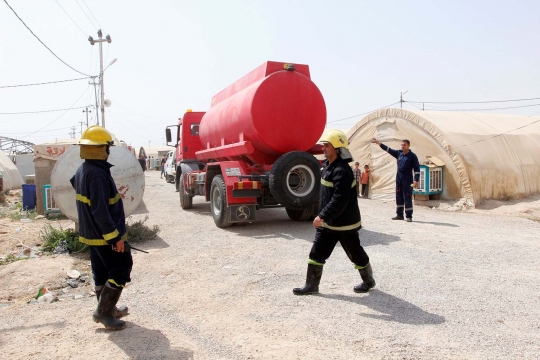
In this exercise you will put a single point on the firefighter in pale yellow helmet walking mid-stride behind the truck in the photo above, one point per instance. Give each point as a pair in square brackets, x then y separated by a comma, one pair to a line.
[339, 217]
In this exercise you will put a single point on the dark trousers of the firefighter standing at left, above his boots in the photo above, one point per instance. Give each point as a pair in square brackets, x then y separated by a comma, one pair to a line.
[110, 265]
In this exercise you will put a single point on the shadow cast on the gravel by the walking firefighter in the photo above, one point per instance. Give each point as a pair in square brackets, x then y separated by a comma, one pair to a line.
[391, 307]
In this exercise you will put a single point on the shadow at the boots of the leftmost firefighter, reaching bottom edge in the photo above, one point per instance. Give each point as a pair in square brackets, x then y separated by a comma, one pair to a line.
[142, 343]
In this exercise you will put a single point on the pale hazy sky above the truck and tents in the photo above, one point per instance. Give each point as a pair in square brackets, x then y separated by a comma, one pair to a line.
[174, 55]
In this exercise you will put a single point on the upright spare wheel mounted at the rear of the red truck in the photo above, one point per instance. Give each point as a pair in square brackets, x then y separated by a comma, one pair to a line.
[294, 180]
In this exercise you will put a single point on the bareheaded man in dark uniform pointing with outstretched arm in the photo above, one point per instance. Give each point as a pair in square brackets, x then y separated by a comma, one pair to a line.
[407, 162]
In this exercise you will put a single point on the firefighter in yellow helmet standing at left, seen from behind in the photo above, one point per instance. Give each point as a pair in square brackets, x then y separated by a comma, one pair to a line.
[102, 225]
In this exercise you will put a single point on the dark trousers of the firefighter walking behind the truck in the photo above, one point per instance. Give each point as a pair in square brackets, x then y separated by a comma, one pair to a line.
[326, 240]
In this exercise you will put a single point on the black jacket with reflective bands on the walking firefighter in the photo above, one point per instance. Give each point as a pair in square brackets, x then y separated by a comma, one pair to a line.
[338, 202]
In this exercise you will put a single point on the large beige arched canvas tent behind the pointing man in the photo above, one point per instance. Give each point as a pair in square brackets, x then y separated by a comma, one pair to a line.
[486, 156]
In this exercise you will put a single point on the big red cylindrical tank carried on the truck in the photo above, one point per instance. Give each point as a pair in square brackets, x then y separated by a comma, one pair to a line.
[278, 113]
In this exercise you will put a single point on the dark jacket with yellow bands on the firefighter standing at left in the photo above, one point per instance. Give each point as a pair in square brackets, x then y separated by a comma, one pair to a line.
[99, 205]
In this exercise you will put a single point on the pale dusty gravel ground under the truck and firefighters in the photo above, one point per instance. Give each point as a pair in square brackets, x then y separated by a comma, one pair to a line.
[452, 284]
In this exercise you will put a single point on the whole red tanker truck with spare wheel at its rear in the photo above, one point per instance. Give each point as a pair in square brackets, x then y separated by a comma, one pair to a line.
[254, 147]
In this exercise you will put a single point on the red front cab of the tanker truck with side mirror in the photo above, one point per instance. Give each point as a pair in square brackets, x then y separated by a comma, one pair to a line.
[187, 143]
